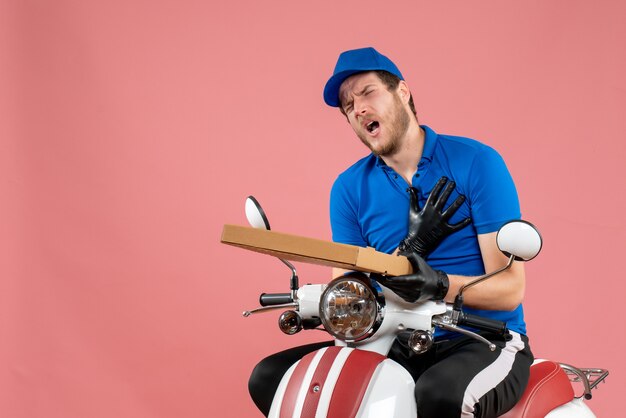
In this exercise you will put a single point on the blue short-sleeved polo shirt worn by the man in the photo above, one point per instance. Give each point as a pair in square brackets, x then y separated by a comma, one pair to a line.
[369, 205]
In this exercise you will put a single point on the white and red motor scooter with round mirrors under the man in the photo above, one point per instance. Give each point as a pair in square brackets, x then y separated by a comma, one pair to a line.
[354, 378]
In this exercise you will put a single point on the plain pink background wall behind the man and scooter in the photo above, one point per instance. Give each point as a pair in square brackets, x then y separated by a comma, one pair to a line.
[131, 131]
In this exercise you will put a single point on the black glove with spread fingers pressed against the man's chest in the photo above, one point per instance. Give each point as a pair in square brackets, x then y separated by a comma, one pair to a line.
[429, 226]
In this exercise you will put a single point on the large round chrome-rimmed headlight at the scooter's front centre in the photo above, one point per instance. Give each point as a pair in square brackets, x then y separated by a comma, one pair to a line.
[348, 309]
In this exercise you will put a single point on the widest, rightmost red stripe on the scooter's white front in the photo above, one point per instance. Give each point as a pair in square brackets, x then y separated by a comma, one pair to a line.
[352, 383]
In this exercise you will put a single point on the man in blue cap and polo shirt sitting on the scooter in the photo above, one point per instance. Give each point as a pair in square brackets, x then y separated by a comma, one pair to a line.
[412, 170]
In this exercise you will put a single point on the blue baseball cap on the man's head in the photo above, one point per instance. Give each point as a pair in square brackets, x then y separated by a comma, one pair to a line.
[353, 62]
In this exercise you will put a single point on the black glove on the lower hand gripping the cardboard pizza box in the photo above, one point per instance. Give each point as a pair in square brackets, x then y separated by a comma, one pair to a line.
[424, 283]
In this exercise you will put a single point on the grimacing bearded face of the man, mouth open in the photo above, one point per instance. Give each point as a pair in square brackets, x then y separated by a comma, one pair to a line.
[377, 115]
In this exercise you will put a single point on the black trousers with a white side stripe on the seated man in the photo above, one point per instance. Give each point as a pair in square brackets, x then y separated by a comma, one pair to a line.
[459, 377]
